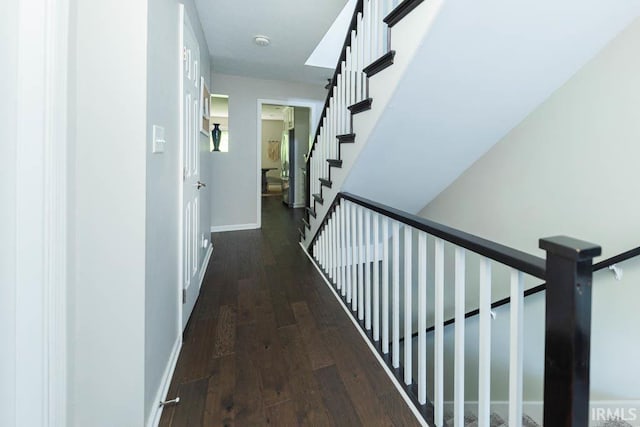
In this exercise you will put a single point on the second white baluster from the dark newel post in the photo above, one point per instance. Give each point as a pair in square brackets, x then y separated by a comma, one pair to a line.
[484, 359]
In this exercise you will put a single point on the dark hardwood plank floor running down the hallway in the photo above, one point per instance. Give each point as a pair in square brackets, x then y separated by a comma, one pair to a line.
[268, 343]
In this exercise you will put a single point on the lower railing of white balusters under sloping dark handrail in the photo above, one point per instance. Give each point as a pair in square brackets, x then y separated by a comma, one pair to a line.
[380, 261]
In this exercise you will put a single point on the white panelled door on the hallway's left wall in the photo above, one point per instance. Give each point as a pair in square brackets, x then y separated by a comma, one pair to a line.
[190, 131]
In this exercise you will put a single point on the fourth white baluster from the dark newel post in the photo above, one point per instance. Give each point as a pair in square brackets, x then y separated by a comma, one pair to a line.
[438, 401]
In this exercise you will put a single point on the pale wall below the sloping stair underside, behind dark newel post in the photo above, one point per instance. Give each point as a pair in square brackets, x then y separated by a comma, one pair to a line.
[571, 168]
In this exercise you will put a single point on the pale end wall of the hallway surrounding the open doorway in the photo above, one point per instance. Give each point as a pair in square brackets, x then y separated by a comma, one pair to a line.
[235, 175]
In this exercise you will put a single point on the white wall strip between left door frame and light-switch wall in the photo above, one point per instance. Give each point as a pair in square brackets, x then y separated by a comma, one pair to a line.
[108, 96]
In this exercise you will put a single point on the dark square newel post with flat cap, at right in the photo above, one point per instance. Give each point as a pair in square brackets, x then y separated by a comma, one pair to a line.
[568, 330]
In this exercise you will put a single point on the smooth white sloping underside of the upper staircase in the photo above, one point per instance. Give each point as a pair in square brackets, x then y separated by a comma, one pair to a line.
[480, 70]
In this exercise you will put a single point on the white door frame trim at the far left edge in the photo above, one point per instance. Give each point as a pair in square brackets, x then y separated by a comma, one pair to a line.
[41, 206]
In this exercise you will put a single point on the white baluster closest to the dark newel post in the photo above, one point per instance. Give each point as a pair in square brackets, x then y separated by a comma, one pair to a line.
[516, 348]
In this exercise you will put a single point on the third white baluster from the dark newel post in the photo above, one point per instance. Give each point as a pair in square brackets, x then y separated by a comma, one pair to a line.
[458, 375]
